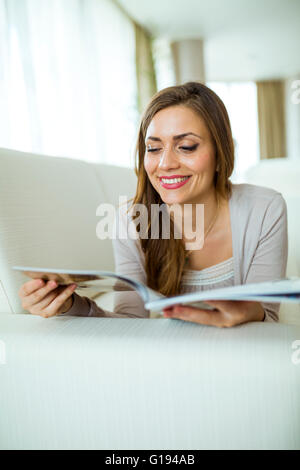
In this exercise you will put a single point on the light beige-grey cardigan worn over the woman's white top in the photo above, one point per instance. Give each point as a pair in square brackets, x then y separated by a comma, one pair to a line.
[260, 247]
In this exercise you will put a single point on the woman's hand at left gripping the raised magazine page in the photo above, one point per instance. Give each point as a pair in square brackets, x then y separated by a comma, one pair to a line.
[46, 299]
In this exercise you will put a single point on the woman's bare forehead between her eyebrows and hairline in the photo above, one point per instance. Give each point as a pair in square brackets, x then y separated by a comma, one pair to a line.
[175, 120]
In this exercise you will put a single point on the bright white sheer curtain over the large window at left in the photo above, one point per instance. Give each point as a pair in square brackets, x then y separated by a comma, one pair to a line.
[68, 79]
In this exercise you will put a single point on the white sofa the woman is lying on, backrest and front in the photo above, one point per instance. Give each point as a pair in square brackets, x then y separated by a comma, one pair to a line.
[100, 383]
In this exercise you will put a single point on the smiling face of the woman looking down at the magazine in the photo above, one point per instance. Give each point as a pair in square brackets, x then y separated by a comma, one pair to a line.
[180, 156]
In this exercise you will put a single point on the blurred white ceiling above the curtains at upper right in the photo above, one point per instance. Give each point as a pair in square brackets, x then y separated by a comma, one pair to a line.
[244, 39]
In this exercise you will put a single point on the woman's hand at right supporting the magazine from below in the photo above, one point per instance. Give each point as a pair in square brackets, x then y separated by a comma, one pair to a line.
[226, 314]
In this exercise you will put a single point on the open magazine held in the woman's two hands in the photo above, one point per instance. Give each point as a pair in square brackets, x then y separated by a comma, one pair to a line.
[282, 290]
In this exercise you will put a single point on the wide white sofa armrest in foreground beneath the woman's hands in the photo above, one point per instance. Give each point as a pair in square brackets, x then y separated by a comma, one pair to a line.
[101, 383]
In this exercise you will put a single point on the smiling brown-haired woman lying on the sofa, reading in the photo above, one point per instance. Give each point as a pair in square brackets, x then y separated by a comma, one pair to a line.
[186, 156]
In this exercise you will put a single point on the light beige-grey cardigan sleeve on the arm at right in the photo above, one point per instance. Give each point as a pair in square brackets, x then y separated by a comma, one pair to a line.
[270, 258]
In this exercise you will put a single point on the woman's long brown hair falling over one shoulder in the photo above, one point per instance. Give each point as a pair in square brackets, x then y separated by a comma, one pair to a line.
[165, 259]
